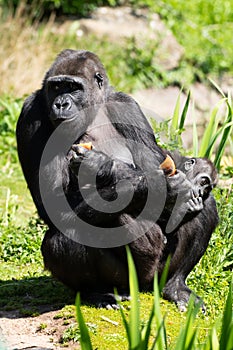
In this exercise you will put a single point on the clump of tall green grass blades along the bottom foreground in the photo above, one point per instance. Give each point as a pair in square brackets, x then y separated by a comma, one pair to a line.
[153, 334]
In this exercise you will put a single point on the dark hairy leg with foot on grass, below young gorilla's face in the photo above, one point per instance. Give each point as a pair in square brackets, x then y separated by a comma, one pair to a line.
[186, 246]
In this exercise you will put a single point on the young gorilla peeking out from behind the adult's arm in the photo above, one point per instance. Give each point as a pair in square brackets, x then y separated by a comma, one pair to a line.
[183, 243]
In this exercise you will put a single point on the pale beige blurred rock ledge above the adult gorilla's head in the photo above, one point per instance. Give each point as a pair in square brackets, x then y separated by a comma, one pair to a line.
[123, 22]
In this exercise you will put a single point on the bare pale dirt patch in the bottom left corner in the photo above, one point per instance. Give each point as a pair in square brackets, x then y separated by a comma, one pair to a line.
[41, 332]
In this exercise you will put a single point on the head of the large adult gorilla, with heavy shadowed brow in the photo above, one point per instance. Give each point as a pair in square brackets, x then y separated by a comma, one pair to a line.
[81, 85]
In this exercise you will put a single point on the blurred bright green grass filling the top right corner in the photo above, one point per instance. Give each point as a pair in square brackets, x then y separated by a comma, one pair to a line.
[206, 23]
